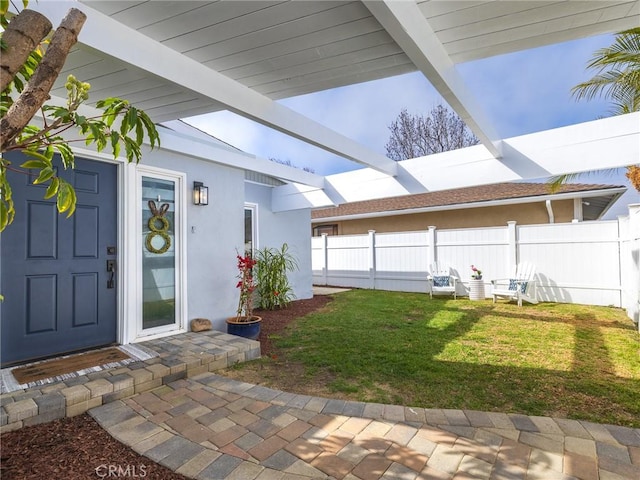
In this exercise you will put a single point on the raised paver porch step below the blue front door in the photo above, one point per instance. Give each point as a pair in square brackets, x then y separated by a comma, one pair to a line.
[176, 357]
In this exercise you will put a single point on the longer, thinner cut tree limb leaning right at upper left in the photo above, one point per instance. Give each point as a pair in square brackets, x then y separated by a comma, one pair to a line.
[37, 90]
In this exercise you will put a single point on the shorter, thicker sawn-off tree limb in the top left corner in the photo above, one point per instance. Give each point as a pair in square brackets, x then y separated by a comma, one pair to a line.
[22, 36]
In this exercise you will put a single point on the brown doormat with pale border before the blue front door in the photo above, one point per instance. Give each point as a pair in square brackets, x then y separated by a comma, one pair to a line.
[71, 366]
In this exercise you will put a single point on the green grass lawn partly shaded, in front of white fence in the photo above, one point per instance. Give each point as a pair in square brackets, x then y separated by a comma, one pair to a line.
[550, 359]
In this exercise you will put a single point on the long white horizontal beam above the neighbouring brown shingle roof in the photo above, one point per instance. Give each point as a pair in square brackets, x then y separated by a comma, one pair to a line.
[606, 143]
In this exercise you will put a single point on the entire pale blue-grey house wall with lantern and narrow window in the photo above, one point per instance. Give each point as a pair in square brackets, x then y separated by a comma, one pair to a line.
[215, 233]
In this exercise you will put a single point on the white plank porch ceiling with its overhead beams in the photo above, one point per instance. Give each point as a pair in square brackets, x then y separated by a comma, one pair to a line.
[177, 59]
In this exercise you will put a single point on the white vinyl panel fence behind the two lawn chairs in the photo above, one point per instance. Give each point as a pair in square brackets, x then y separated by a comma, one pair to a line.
[592, 263]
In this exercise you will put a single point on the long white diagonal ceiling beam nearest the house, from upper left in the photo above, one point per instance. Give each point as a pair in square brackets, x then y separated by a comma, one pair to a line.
[113, 38]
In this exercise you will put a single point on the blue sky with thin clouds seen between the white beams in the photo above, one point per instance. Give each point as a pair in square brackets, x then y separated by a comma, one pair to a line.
[521, 93]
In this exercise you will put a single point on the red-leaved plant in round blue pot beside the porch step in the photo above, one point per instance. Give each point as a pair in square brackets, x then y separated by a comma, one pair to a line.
[245, 323]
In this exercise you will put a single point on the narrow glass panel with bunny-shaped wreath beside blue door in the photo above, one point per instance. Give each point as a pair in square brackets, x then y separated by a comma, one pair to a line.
[158, 253]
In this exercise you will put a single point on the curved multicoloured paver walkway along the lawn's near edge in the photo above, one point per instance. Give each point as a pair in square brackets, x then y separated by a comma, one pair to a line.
[212, 427]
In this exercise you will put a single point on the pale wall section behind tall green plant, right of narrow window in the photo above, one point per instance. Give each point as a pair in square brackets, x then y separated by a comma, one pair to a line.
[291, 227]
